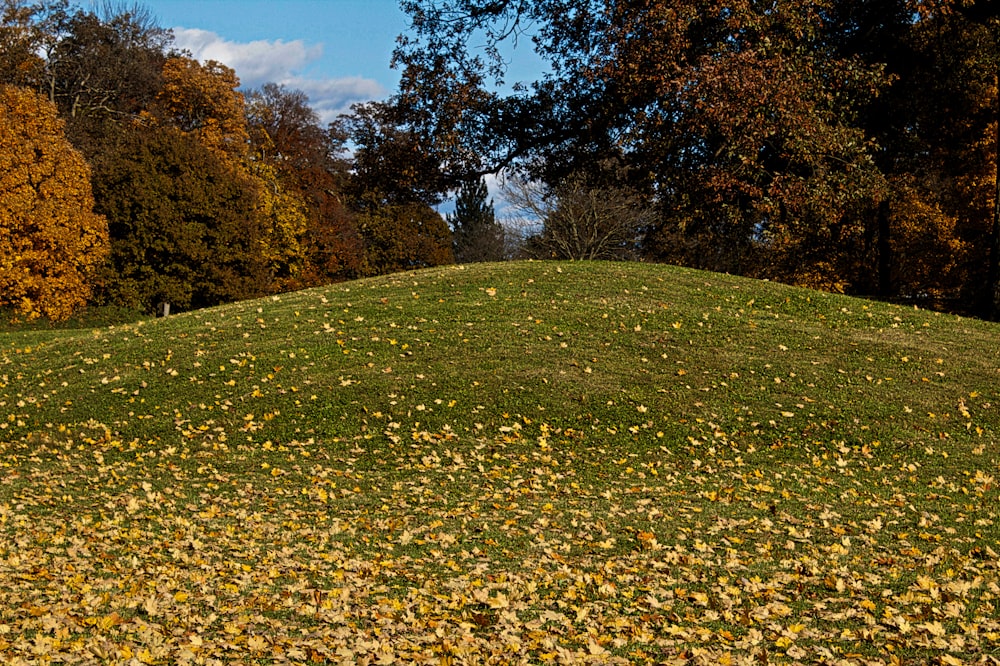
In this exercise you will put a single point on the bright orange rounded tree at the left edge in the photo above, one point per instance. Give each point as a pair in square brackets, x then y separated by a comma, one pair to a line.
[51, 241]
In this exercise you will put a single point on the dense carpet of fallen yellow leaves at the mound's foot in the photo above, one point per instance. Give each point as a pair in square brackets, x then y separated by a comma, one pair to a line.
[517, 549]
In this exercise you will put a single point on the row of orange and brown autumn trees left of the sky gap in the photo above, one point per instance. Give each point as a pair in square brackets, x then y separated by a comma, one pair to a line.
[131, 174]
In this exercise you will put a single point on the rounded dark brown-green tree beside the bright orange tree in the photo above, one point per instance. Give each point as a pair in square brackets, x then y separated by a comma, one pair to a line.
[184, 223]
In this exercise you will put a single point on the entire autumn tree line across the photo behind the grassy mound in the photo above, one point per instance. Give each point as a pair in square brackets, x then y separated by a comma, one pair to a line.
[846, 145]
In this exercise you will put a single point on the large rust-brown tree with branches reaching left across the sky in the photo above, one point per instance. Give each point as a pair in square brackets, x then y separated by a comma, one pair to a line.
[737, 115]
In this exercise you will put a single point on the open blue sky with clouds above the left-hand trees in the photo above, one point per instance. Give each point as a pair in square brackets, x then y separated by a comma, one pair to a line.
[336, 51]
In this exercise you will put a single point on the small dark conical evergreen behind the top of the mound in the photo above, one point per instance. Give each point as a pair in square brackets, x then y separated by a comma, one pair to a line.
[476, 234]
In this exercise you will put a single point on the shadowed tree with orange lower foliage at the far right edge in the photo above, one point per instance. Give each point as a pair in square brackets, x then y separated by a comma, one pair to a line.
[929, 127]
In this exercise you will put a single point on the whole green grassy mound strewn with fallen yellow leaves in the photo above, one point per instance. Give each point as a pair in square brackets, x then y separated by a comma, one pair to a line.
[511, 463]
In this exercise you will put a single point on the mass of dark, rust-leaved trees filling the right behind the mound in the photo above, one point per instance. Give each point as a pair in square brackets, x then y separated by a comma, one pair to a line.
[847, 145]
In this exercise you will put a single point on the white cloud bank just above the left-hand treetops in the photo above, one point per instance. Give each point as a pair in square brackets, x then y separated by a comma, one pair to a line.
[281, 62]
